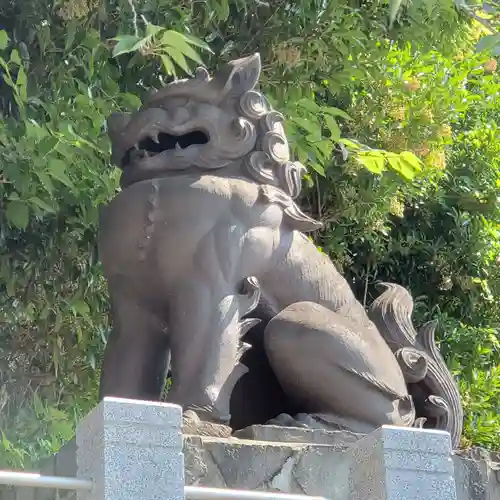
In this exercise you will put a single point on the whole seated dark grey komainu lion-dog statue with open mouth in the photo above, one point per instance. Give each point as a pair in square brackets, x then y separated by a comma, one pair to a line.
[211, 277]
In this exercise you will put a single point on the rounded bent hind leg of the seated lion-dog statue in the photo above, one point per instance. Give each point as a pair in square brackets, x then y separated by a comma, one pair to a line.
[346, 377]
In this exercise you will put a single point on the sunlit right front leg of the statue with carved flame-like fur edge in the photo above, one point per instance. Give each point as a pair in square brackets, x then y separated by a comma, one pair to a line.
[205, 333]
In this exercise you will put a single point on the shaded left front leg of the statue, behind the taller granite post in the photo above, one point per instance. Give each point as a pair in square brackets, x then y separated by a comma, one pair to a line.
[136, 357]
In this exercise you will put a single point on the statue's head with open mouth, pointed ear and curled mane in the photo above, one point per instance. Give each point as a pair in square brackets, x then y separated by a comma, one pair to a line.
[206, 123]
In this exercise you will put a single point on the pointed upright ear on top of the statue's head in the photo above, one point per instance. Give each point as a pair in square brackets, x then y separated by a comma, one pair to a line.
[238, 76]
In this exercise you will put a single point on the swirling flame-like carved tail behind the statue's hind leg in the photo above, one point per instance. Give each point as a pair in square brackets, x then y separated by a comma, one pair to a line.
[436, 395]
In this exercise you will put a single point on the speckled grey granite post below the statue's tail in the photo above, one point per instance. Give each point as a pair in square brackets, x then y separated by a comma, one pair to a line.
[395, 463]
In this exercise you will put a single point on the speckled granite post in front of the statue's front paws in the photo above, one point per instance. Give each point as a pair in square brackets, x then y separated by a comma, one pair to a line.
[131, 450]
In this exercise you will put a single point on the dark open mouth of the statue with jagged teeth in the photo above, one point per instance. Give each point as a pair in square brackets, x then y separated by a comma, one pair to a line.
[155, 144]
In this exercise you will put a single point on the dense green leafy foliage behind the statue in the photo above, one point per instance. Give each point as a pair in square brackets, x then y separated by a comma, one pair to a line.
[391, 108]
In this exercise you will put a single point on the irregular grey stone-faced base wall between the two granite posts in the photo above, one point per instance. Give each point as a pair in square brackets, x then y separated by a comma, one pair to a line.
[259, 465]
